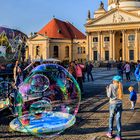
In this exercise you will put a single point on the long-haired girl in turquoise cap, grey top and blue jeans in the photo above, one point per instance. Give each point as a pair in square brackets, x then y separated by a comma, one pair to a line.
[114, 93]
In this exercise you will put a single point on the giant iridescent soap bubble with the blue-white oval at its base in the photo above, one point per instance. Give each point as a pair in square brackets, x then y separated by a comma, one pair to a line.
[51, 99]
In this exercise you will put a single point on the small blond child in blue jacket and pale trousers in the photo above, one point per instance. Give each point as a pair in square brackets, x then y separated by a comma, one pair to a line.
[133, 97]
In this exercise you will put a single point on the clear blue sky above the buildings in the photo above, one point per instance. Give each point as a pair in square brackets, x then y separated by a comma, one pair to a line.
[31, 15]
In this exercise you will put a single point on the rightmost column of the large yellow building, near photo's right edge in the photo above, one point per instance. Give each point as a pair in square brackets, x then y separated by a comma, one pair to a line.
[136, 54]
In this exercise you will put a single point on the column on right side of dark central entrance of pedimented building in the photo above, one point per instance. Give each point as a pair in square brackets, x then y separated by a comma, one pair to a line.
[123, 46]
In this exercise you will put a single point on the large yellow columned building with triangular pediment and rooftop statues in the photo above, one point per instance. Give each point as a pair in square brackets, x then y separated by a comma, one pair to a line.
[114, 34]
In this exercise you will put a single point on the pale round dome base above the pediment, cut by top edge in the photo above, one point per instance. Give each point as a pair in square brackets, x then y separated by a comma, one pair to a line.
[124, 4]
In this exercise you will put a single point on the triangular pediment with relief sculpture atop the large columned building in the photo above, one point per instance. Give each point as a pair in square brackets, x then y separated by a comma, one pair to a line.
[114, 17]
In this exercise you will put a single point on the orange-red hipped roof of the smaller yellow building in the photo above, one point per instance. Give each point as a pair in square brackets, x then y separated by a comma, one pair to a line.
[62, 30]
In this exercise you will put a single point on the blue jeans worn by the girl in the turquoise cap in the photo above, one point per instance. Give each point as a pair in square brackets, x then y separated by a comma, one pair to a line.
[115, 109]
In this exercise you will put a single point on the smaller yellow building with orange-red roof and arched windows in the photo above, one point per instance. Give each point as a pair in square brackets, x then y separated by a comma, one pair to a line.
[57, 39]
